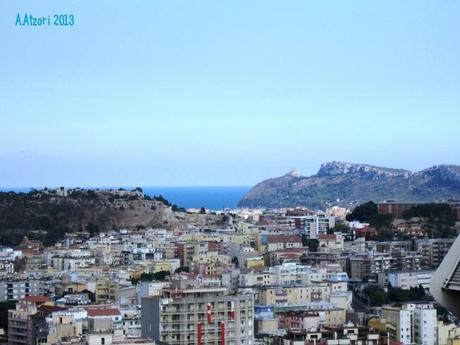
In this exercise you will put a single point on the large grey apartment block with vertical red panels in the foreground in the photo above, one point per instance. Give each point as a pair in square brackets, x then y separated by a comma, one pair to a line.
[198, 316]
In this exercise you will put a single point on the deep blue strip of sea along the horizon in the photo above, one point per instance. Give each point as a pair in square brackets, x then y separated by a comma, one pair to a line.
[212, 198]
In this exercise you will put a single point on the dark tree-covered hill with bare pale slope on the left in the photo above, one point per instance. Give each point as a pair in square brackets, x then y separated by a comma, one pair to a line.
[47, 214]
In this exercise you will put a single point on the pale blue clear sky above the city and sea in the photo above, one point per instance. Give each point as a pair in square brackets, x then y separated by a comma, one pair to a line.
[212, 92]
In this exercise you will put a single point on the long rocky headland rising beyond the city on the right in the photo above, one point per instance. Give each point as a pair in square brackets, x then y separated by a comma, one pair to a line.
[348, 184]
